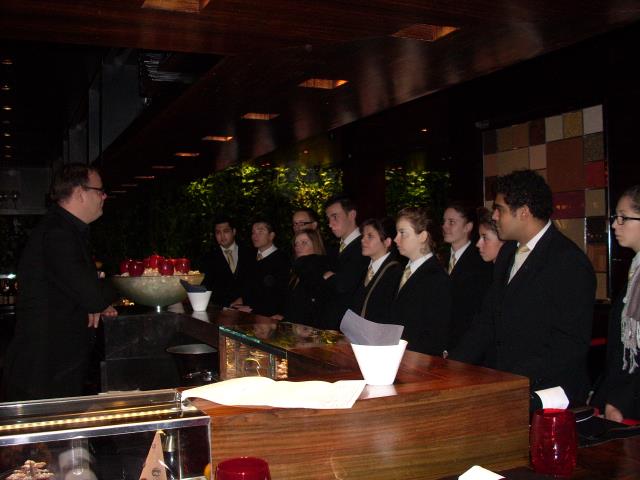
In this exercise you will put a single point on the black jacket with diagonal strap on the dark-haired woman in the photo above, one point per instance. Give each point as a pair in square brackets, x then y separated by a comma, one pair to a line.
[381, 291]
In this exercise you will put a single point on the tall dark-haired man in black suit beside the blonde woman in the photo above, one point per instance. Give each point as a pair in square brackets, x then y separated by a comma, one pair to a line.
[348, 263]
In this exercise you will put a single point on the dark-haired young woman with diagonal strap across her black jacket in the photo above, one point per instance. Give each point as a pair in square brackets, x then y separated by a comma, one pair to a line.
[379, 285]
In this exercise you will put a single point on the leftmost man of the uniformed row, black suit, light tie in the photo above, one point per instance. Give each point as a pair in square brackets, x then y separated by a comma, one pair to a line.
[227, 265]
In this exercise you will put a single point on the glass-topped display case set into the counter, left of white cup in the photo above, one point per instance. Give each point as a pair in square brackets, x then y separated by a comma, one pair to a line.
[262, 349]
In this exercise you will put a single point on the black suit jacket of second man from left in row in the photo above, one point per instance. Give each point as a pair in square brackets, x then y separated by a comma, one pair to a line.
[265, 287]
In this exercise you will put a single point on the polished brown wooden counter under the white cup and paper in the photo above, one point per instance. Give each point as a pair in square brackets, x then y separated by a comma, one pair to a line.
[440, 418]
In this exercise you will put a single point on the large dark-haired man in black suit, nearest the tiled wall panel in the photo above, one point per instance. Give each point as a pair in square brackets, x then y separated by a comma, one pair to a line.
[537, 317]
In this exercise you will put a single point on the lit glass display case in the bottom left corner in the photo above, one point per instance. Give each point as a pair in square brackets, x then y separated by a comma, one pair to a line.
[108, 436]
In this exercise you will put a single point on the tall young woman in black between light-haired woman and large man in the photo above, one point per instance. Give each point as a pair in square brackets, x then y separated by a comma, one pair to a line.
[470, 275]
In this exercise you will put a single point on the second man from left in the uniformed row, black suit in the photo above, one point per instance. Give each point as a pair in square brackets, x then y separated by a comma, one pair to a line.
[264, 289]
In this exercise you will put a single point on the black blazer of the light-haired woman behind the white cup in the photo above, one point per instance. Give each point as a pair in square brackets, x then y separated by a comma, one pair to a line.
[423, 306]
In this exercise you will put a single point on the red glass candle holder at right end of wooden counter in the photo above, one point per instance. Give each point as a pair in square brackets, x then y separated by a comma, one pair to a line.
[553, 442]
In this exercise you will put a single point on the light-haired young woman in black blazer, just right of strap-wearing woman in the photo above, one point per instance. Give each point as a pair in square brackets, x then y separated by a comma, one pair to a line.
[423, 301]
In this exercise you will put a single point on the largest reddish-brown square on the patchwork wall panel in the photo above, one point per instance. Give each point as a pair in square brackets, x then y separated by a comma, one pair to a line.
[564, 165]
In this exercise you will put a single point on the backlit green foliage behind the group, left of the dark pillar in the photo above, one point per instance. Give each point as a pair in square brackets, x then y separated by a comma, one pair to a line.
[177, 220]
